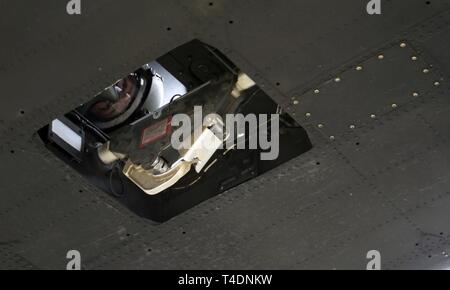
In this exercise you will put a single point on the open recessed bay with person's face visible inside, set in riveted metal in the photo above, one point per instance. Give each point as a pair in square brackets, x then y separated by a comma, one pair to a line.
[121, 140]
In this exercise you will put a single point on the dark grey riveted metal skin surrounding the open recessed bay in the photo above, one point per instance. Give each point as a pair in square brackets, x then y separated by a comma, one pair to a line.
[325, 209]
